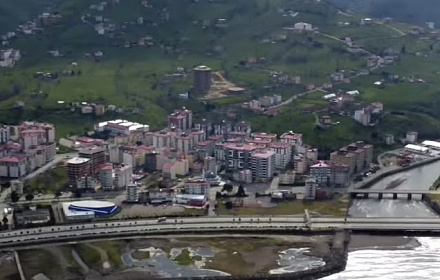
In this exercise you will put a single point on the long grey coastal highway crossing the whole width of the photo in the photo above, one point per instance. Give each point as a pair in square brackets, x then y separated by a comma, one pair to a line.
[52, 234]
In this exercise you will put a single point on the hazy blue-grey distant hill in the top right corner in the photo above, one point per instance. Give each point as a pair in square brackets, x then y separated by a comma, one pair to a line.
[410, 11]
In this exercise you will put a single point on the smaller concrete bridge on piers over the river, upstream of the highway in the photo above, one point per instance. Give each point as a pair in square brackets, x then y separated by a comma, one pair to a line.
[368, 193]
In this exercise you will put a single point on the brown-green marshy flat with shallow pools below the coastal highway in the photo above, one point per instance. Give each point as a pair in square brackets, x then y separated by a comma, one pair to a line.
[192, 256]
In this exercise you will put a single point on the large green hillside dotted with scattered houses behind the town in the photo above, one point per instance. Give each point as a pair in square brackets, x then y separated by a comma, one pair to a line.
[223, 34]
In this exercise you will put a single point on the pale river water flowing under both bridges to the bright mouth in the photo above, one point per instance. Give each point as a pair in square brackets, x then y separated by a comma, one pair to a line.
[421, 263]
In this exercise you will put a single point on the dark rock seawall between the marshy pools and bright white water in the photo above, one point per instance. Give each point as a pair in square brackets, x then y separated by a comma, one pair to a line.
[334, 262]
